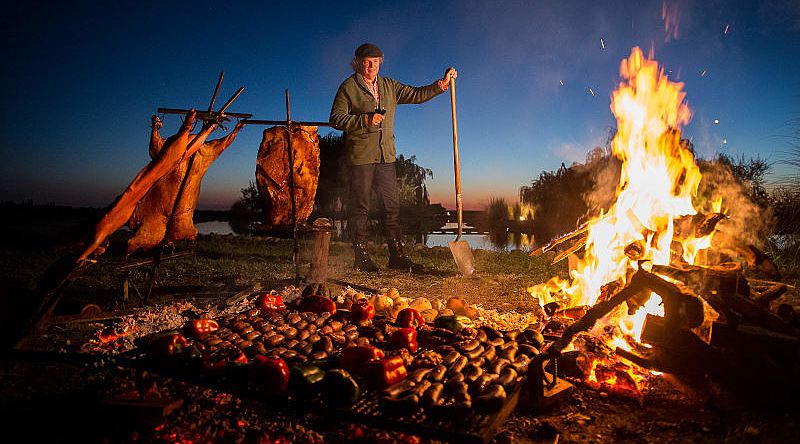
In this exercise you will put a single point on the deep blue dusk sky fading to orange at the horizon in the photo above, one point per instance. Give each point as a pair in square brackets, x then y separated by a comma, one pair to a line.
[81, 80]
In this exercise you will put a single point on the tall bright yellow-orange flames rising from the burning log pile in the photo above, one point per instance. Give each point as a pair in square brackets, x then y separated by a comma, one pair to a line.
[659, 179]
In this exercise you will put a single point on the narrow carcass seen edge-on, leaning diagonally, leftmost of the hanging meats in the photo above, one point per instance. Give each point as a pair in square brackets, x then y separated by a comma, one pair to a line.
[175, 149]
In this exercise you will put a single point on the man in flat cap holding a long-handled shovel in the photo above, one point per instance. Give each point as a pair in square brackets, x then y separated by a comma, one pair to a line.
[364, 109]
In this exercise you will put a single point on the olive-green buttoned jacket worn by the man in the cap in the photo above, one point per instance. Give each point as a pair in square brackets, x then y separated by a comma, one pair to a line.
[365, 144]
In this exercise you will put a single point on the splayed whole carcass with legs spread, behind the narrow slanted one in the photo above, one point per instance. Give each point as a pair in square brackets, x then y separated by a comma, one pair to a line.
[151, 219]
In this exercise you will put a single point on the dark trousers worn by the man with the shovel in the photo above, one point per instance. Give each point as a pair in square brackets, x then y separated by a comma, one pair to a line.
[381, 177]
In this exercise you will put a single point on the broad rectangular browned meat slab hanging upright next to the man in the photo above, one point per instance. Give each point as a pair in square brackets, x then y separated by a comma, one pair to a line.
[272, 173]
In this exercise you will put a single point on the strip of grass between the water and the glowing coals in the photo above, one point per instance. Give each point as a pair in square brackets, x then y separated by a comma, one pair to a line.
[231, 263]
